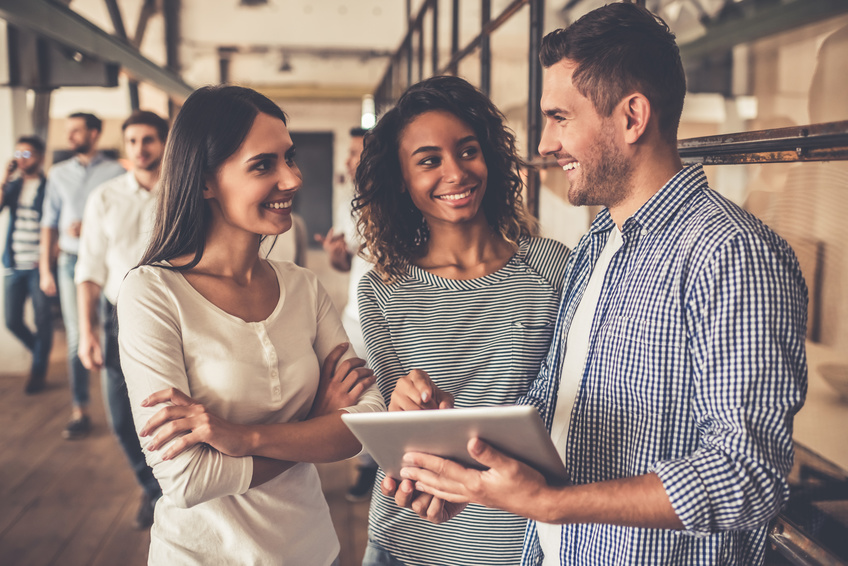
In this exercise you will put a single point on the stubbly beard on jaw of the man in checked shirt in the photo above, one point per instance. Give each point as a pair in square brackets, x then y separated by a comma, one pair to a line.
[606, 179]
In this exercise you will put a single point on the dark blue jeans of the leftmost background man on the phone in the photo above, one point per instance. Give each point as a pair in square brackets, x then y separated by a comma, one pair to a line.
[19, 284]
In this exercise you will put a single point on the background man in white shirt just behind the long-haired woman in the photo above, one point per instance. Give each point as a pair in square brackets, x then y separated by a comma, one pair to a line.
[118, 221]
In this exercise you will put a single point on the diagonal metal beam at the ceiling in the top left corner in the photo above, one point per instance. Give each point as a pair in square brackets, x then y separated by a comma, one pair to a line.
[69, 28]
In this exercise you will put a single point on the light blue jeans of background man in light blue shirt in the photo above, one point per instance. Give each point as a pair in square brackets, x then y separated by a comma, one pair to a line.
[77, 374]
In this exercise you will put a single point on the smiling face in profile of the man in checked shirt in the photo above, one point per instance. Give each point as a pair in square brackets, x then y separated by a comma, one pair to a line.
[583, 142]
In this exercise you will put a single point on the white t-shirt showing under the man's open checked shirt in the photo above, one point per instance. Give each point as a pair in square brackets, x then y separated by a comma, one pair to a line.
[573, 363]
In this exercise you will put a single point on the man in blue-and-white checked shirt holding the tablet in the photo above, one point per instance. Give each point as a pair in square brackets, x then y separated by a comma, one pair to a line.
[678, 359]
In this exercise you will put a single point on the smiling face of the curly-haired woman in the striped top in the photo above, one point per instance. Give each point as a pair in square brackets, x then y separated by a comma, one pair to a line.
[443, 168]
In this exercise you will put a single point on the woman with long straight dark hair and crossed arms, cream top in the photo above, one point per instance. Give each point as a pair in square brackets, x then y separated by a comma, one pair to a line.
[247, 355]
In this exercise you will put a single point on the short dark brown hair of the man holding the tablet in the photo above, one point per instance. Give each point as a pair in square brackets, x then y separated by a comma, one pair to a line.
[619, 49]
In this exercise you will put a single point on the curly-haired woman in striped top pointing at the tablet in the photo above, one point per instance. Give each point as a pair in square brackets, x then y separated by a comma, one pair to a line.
[461, 301]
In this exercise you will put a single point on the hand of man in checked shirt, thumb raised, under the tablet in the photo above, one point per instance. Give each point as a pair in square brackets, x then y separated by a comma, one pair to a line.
[508, 484]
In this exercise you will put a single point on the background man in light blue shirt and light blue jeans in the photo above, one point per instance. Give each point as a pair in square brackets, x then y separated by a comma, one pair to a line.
[68, 186]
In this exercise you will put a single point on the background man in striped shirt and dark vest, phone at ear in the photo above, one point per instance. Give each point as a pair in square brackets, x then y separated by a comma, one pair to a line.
[23, 187]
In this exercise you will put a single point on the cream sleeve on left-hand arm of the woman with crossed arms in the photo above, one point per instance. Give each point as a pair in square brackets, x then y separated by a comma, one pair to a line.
[151, 349]
